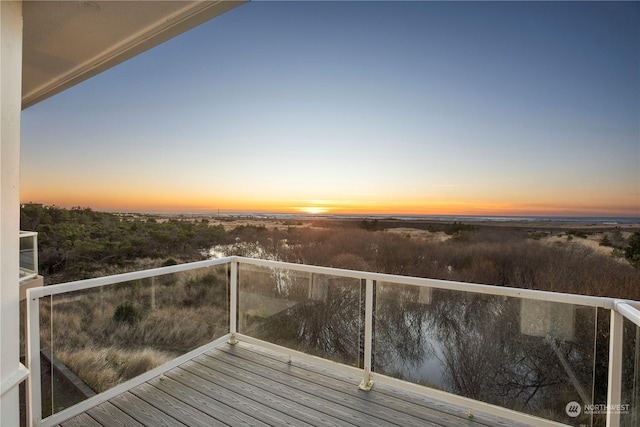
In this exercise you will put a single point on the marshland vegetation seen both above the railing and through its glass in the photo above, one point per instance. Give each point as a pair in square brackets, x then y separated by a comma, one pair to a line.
[112, 334]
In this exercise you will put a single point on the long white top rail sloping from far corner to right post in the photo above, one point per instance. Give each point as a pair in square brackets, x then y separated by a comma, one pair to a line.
[584, 300]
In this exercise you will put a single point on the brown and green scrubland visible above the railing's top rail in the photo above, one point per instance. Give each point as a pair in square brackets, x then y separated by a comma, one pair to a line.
[81, 243]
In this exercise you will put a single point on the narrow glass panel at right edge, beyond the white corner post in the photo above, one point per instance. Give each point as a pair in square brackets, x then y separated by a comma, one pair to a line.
[630, 400]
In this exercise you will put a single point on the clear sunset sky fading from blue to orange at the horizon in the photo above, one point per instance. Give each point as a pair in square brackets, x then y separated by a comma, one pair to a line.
[523, 108]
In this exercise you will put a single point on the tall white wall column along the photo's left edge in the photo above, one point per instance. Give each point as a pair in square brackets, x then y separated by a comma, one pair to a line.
[10, 108]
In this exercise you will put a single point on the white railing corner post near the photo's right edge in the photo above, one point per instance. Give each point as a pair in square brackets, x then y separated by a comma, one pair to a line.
[614, 387]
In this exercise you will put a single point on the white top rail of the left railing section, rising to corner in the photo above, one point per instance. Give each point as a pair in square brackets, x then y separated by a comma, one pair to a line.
[119, 278]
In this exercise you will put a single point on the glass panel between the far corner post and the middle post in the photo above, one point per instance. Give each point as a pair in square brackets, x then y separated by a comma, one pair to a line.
[317, 314]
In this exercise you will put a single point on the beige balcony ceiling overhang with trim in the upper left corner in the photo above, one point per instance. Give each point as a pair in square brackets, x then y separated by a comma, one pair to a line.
[66, 42]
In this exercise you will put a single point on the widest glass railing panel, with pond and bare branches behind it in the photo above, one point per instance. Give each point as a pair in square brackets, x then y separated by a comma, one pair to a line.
[531, 356]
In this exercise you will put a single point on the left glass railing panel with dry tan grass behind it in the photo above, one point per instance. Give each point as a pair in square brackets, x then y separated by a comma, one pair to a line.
[101, 337]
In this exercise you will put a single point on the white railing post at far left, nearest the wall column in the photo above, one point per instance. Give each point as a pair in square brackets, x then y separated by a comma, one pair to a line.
[34, 389]
